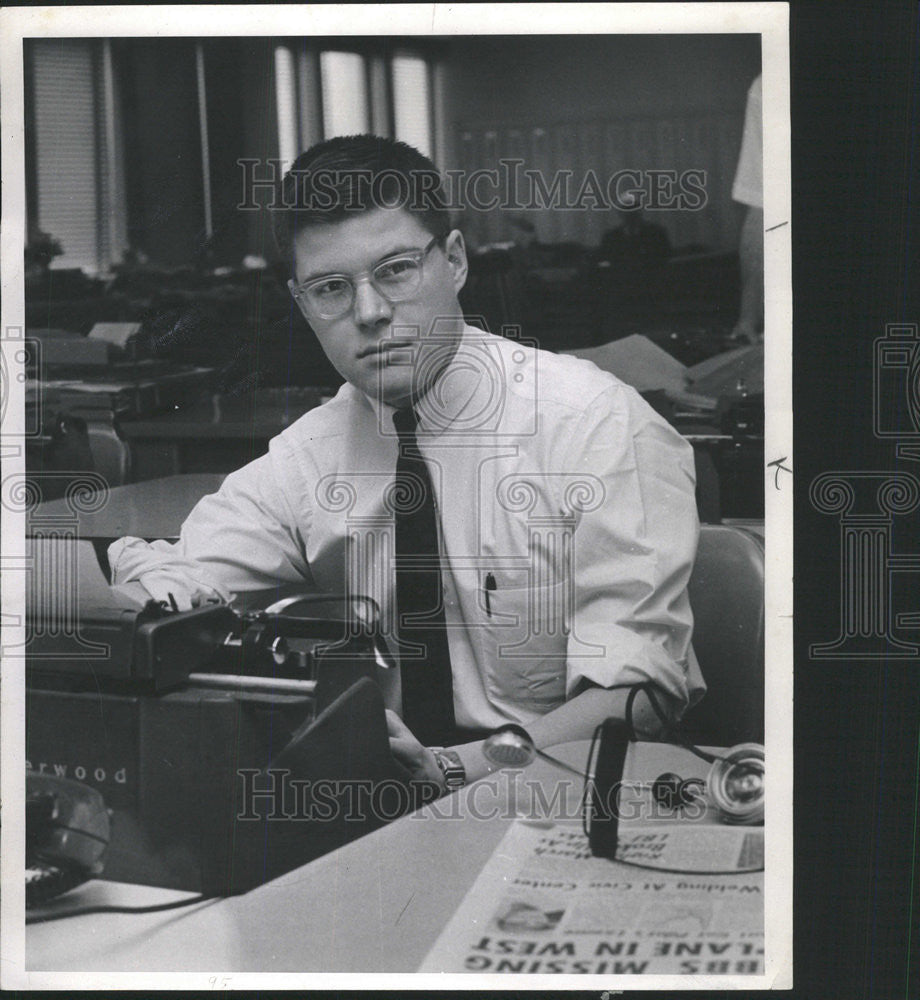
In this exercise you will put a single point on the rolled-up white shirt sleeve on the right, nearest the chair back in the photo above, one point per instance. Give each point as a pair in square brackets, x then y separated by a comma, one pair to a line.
[634, 551]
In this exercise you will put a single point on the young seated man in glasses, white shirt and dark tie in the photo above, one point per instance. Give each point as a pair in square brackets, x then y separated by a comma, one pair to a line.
[565, 513]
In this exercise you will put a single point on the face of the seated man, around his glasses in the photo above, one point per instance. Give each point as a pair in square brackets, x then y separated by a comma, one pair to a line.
[378, 345]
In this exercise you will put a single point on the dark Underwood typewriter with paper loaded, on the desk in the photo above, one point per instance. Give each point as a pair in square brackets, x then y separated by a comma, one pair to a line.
[209, 732]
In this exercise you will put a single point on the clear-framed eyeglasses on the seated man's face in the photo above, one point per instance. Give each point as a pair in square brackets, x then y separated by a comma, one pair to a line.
[395, 278]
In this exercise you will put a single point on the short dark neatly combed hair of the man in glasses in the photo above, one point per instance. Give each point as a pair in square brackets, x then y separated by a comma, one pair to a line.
[357, 173]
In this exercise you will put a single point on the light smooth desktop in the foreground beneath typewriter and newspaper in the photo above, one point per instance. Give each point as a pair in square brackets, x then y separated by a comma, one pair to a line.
[375, 905]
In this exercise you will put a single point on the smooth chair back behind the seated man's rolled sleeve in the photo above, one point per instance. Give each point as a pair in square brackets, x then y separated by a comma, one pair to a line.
[727, 594]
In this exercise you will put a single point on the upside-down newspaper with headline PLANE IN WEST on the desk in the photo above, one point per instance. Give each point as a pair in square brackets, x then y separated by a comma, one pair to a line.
[543, 905]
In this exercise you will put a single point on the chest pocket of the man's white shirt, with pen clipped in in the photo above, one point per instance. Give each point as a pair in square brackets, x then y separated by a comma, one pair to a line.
[523, 637]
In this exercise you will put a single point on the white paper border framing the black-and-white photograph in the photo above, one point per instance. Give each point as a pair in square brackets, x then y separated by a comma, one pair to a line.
[771, 20]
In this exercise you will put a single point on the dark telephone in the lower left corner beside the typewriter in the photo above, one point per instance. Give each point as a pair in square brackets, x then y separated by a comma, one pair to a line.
[67, 832]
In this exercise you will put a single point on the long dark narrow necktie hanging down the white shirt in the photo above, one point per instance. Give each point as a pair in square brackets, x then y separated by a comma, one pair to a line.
[427, 689]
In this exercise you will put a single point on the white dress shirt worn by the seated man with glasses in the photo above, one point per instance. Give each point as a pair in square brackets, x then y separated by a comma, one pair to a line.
[550, 475]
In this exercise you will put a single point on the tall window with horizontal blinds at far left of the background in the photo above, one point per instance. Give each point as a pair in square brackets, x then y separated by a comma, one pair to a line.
[77, 165]
